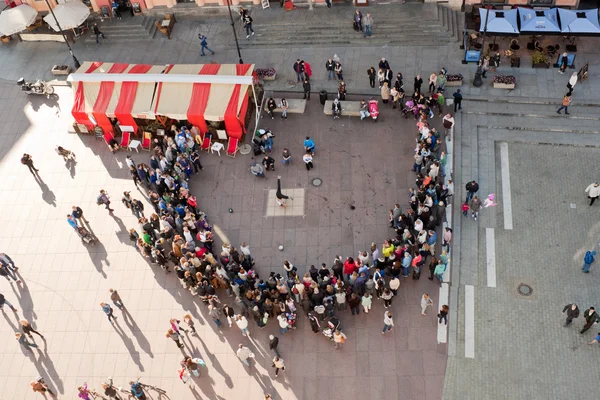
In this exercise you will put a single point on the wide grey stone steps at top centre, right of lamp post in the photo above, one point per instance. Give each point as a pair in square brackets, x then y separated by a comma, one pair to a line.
[409, 24]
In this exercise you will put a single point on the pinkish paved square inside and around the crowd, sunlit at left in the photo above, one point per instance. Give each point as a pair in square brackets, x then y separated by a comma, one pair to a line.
[64, 281]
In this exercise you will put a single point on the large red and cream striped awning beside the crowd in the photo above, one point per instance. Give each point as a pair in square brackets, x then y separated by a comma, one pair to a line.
[193, 92]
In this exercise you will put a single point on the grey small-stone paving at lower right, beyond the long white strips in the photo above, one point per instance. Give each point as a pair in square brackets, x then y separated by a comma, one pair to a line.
[522, 348]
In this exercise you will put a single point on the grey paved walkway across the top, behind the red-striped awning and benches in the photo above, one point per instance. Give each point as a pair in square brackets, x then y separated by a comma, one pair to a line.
[34, 60]
